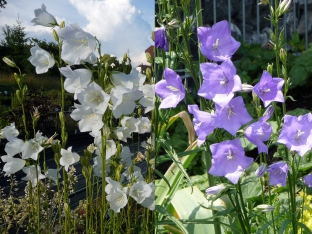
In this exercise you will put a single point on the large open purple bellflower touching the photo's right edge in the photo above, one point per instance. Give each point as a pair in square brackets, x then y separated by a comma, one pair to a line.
[296, 133]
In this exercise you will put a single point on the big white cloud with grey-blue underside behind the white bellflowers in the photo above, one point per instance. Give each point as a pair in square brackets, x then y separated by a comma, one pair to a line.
[118, 25]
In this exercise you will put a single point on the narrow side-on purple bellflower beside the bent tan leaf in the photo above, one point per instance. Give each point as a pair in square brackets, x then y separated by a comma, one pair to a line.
[203, 123]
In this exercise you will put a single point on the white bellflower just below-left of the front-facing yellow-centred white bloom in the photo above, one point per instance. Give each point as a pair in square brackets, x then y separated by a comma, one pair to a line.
[88, 119]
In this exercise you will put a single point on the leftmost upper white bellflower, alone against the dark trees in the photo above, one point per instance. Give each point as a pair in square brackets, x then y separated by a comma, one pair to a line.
[40, 59]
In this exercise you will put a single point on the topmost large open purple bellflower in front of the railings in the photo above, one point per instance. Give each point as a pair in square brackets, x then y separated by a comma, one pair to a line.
[216, 43]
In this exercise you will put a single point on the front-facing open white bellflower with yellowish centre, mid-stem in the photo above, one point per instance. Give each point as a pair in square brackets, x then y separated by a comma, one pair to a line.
[93, 96]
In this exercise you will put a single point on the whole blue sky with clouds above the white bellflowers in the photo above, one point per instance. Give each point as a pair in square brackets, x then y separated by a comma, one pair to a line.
[120, 25]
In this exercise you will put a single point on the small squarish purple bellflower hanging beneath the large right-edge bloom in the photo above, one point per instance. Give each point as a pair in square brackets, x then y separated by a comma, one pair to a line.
[278, 173]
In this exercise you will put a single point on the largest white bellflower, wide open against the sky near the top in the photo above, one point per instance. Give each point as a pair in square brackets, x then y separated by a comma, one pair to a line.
[77, 44]
